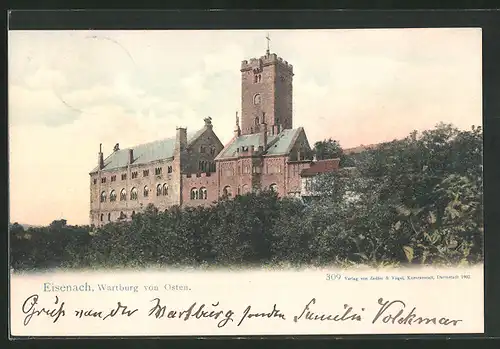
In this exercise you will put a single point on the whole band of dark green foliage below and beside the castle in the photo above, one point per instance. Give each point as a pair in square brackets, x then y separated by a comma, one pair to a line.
[417, 200]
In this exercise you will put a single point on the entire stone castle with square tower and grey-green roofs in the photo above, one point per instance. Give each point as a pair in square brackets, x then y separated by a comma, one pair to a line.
[265, 153]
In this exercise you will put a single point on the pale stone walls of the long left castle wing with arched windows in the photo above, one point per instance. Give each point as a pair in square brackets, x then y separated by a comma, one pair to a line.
[118, 193]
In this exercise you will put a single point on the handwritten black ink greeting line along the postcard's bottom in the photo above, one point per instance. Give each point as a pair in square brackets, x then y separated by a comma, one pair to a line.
[390, 312]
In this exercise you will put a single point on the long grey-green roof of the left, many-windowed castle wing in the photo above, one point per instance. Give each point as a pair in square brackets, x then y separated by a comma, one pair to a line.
[146, 153]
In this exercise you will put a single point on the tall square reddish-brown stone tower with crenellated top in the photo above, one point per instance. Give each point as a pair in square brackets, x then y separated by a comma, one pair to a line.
[266, 92]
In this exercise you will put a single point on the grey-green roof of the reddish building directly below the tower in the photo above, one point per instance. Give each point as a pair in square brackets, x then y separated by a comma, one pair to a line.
[279, 144]
